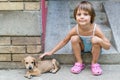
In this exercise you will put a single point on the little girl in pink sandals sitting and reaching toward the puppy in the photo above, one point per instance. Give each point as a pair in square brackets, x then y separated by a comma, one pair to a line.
[85, 36]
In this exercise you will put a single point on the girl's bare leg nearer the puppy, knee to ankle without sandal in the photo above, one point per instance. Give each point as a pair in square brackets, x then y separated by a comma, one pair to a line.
[77, 46]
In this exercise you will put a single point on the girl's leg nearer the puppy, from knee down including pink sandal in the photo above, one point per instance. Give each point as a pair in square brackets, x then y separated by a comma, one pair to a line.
[77, 47]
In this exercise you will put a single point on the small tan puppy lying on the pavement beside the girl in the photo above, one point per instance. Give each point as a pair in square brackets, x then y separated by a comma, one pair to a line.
[35, 68]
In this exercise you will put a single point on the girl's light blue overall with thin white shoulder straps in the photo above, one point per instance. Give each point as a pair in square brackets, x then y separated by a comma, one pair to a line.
[86, 40]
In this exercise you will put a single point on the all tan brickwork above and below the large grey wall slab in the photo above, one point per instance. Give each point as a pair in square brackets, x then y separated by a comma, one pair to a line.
[13, 48]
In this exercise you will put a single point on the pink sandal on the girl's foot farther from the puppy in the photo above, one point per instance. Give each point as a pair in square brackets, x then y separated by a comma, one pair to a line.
[96, 69]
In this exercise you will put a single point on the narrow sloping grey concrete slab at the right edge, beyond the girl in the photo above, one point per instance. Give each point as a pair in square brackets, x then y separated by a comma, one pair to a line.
[112, 10]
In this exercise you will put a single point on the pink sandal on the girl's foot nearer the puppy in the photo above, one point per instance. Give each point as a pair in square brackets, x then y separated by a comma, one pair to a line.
[77, 68]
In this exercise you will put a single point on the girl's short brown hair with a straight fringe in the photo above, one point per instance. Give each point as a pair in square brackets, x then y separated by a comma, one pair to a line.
[87, 6]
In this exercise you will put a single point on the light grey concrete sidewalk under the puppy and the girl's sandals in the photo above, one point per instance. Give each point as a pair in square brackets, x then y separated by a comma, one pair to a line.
[110, 72]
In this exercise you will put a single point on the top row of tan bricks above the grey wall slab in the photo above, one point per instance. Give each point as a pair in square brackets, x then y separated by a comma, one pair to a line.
[19, 5]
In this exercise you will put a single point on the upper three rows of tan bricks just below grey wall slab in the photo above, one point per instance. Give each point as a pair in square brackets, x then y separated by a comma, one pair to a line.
[15, 48]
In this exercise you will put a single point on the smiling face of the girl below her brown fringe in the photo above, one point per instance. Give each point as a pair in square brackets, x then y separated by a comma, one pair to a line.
[83, 17]
